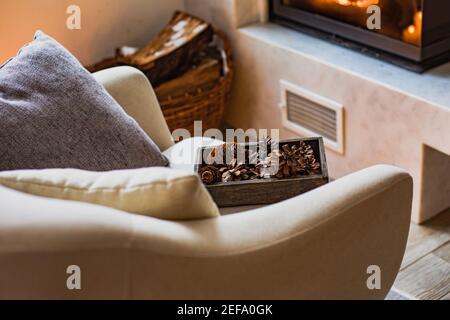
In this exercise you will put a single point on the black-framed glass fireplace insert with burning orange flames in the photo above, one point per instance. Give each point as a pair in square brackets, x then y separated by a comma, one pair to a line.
[414, 34]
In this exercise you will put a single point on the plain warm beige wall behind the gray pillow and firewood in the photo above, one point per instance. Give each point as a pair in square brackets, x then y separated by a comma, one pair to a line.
[105, 24]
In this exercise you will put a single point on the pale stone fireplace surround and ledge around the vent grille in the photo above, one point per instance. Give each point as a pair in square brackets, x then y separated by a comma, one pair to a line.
[392, 116]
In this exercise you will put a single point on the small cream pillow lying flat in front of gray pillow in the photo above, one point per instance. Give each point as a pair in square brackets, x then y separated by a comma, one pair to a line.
[158, 192]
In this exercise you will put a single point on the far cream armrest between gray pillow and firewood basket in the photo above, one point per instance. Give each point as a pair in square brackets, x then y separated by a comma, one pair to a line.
[132, 90]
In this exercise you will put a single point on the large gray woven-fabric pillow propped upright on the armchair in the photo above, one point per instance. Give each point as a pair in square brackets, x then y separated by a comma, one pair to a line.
[53, 114]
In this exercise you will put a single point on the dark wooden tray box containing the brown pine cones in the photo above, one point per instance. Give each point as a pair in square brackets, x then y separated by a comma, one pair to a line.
[266, 191]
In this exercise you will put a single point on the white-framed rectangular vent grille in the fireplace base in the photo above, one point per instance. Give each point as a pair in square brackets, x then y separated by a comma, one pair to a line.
[312, 115]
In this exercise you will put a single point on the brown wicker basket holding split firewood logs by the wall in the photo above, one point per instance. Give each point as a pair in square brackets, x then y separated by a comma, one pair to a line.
[202, 105]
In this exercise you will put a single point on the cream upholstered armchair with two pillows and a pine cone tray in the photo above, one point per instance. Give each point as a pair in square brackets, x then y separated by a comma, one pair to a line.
[316, 246]
